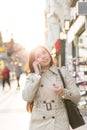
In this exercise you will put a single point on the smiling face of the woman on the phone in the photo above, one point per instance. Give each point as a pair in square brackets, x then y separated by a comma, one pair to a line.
[43, 57]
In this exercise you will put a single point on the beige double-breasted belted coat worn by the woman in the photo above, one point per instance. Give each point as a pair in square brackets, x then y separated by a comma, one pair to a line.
[49, 112]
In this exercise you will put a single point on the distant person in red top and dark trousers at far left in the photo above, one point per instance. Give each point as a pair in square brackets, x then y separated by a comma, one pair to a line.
[6, 76]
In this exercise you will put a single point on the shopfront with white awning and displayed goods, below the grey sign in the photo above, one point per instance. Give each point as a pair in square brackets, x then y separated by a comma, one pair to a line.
[76, 56]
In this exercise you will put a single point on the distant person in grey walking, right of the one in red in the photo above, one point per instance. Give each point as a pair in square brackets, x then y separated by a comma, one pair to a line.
[18, 72]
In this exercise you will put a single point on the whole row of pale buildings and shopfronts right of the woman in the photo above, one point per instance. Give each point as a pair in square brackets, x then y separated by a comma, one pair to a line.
[69, 18]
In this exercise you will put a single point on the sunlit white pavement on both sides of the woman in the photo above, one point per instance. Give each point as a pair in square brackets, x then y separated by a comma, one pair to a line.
[13, 114]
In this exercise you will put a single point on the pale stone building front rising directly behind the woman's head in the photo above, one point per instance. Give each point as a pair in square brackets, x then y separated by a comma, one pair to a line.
[56, 13]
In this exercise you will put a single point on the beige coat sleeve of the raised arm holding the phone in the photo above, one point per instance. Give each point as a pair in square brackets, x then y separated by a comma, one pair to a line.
[31, 87]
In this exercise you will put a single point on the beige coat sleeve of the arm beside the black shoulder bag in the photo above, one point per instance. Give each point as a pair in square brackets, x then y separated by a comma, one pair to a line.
[71, 91]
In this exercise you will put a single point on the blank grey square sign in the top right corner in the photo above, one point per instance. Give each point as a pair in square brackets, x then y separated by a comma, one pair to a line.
[82, 8]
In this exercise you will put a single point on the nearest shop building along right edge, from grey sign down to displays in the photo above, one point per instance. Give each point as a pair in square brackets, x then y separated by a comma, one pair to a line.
[76, 48]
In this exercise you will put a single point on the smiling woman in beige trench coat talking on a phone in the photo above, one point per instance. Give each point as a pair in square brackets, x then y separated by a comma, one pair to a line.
[44, 92]
